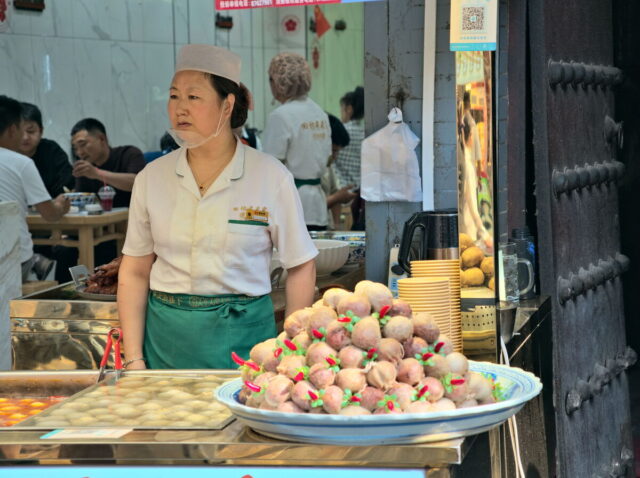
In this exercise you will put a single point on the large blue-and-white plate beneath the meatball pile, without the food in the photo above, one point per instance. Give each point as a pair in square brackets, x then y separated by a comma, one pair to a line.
[518, 387]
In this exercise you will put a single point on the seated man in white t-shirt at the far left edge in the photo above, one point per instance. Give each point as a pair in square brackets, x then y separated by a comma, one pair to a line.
[21, 182]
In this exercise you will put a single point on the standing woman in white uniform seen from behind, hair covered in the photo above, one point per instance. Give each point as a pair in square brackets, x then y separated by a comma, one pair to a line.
[298, 133]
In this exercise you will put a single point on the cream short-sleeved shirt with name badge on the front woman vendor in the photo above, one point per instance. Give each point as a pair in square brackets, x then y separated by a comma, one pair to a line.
[220, 243]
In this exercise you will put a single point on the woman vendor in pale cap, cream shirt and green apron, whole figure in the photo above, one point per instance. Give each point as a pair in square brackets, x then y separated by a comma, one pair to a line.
[194, 281]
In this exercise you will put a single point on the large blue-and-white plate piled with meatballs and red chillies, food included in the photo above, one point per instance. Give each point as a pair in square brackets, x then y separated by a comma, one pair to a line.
[361, 368]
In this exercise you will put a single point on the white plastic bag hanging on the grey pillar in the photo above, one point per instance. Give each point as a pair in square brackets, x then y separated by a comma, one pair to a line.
[390, 170]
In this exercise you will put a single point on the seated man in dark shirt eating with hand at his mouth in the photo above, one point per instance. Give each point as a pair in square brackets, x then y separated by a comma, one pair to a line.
[98, 163]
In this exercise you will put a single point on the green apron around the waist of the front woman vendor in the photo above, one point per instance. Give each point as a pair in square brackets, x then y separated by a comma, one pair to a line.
[194, 331]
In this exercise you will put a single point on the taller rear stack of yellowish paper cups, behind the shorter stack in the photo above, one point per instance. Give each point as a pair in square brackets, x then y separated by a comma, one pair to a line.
[445, 269]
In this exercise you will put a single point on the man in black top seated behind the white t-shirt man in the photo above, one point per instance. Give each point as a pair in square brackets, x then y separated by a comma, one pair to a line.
[50, 159]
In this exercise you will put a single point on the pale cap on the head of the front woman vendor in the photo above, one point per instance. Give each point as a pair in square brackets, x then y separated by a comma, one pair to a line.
[209, 59]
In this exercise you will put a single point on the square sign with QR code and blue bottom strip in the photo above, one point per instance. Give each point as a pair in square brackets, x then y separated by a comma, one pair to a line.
[474, 25]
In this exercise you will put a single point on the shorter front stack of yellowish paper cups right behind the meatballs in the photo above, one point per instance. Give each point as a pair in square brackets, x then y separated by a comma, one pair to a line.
[431, 295]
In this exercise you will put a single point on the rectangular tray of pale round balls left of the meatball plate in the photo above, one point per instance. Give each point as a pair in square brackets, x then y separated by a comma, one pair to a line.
[141, 401]
